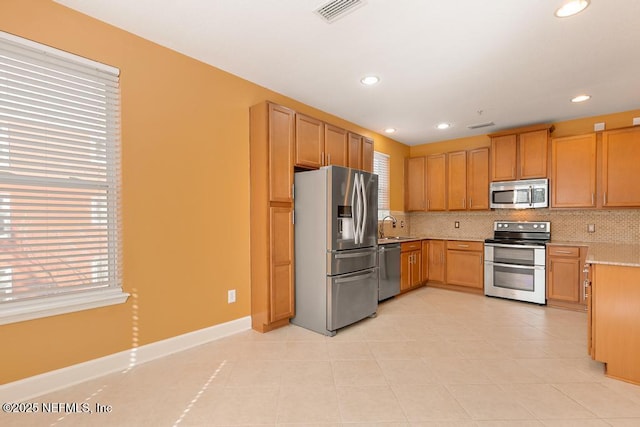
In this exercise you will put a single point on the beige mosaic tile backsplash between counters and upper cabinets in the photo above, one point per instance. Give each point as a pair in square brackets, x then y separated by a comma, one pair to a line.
[622, 226]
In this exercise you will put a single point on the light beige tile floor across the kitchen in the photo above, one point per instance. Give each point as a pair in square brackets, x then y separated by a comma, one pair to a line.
[431, 358]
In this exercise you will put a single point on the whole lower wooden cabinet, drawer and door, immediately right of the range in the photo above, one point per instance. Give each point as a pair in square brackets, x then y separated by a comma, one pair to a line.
[564, 272]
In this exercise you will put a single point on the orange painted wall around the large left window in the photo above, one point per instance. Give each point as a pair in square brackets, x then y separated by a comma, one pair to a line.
[185, 186]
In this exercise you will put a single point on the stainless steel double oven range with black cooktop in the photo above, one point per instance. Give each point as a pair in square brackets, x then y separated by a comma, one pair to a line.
[515, 261]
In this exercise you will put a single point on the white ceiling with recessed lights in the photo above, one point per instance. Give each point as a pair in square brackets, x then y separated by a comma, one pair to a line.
[462, 62]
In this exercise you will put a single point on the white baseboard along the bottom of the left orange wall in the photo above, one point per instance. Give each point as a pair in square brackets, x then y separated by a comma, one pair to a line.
[28, 388]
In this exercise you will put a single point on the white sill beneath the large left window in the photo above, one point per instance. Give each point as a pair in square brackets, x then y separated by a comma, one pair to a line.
[20, 311]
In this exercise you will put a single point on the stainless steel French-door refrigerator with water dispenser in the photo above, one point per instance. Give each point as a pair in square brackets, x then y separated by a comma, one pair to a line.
[336, 215]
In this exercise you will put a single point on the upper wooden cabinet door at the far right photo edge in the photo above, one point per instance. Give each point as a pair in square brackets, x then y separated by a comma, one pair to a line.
[620, 162]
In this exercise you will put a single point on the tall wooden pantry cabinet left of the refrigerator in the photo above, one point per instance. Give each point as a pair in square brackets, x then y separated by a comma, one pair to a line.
[272, 142]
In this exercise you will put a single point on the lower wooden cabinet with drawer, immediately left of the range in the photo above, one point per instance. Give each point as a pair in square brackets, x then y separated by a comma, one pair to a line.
[465, 263]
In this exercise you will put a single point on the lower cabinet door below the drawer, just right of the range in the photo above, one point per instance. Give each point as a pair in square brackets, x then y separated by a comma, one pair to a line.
[564, 279]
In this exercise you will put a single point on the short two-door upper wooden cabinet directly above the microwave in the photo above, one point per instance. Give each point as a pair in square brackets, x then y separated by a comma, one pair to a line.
[520, 153]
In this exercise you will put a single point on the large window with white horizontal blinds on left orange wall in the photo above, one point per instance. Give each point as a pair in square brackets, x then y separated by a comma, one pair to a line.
[59, 182]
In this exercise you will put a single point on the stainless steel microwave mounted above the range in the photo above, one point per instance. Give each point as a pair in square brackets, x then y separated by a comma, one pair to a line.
[524, 194]
